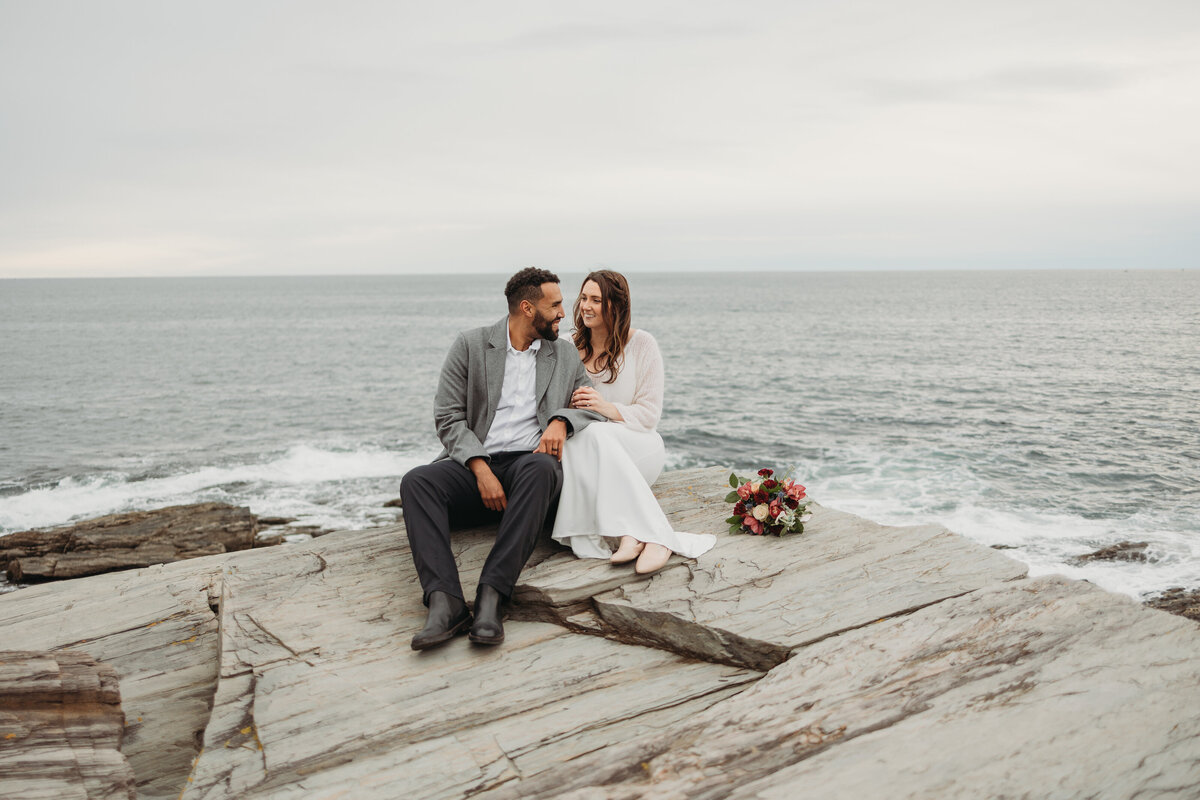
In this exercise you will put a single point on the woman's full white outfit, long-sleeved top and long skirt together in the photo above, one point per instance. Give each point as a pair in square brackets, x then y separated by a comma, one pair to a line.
[609, 467]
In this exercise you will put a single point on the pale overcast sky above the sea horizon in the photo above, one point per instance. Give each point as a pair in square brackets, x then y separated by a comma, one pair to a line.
[290, 139]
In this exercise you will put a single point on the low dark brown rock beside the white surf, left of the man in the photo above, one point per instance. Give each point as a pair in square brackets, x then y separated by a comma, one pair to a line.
[122, 542]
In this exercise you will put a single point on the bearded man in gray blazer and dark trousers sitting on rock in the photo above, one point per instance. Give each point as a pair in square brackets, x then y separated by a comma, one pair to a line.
[502, 414]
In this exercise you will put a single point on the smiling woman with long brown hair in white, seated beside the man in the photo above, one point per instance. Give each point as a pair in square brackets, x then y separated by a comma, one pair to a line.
[608, 470]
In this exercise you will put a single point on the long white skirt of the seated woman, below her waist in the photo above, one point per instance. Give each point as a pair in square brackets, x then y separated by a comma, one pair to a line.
[608, 472]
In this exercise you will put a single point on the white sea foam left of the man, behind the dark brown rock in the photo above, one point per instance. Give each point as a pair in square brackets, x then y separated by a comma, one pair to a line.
[331, 489]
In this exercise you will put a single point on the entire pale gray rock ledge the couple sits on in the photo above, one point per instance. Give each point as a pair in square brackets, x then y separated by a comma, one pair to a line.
[856, 660]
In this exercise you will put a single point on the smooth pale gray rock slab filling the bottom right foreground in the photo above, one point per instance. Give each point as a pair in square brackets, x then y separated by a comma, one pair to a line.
[1035, 689]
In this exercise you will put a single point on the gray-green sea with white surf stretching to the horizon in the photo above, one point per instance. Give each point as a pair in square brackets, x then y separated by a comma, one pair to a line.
[1053, 413]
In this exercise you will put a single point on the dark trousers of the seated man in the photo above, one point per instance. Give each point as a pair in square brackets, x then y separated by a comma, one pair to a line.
[446, 494]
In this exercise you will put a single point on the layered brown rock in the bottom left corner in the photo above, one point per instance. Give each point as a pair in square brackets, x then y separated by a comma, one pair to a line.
[61, 729]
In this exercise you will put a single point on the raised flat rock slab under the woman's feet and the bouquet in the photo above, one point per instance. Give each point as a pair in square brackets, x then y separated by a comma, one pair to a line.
[753, 600]
